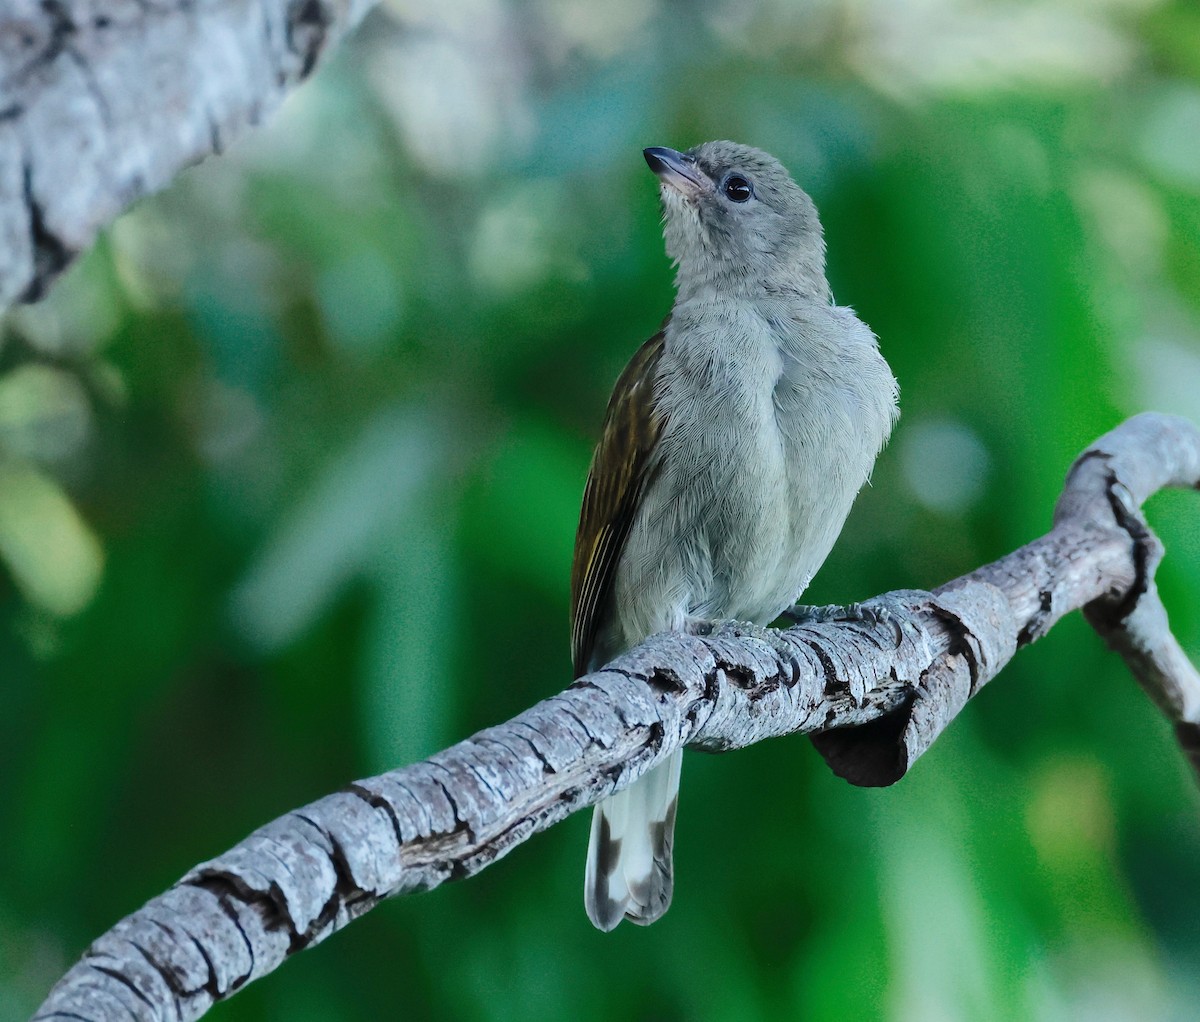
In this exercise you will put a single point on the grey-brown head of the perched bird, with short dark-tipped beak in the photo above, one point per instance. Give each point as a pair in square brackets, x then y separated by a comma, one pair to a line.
[734, 219]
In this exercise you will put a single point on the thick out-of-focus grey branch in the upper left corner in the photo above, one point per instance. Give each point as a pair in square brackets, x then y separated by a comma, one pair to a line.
[105, 101]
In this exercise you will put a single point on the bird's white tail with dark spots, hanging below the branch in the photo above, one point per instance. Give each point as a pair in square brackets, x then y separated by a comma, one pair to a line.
[629, 856]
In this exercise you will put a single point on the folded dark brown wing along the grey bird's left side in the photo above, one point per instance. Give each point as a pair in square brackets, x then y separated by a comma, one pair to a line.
[622, 468]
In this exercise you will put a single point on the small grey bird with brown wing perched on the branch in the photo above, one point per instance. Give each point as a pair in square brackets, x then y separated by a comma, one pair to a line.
[734, 447]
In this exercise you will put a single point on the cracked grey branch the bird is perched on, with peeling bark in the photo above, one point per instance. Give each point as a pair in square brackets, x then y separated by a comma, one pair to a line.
[874, 687]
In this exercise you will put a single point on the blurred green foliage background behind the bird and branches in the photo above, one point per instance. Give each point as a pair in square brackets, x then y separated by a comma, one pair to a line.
[292, 464]
